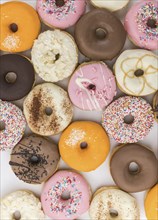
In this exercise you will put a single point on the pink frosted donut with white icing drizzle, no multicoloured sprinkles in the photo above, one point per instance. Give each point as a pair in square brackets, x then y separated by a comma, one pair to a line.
[92, 86]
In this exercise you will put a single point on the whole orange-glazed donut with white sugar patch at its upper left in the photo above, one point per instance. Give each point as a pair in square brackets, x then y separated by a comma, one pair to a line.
[84, 145]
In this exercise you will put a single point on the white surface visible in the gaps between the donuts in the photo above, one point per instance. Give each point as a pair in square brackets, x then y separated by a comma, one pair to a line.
[99, 177]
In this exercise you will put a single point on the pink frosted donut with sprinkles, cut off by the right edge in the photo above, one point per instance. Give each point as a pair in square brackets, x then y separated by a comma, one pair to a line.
[141, 23]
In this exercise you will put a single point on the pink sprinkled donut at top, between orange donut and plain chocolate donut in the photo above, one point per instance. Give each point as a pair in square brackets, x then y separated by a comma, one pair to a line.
[60, 13]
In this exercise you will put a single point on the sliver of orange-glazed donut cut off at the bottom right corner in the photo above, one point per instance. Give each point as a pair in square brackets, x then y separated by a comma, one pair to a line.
[151, 203]
